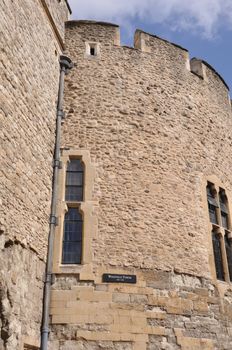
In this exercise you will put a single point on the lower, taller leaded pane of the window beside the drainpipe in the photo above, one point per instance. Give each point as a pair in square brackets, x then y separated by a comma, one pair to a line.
[72, 237]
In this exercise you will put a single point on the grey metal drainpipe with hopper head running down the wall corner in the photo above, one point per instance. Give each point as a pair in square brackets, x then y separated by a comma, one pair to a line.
[65, 65]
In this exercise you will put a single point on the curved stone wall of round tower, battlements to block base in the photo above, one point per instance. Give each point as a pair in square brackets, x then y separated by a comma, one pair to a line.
[156, 127]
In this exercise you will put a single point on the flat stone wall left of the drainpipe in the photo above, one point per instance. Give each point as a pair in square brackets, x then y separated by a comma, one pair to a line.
[29, 77]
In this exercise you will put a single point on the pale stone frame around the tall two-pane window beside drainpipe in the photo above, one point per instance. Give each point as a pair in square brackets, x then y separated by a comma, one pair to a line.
[84, 269]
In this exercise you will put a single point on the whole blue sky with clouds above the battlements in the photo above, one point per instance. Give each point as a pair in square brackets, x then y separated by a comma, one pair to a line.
[204, 27]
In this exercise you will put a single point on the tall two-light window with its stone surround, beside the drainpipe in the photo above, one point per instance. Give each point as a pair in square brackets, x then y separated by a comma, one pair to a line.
[77, 216]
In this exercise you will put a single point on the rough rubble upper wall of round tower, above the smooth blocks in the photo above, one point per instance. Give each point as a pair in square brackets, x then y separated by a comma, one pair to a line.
[136, 112]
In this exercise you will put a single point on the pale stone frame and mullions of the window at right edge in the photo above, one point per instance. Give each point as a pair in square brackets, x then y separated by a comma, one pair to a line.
[222, 286]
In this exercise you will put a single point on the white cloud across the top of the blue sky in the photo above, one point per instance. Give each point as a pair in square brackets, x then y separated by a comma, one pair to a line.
[204, 16]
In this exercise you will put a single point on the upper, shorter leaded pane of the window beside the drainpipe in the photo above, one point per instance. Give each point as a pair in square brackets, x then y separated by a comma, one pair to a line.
[74, 181]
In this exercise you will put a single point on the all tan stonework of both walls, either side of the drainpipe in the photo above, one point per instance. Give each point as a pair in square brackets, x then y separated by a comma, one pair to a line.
[151, 128]
